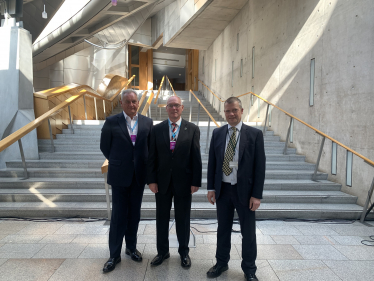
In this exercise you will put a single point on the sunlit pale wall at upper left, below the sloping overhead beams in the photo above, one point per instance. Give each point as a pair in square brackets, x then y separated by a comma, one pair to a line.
[87, 67]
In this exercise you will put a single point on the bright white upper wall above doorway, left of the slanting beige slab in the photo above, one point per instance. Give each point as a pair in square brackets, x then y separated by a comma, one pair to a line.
[173, 17]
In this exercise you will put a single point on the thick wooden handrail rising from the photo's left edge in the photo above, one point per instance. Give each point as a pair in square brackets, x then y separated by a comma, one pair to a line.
[9, 140]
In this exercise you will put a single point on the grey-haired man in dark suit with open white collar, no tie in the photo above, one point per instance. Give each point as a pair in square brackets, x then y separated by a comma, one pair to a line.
[124, 142]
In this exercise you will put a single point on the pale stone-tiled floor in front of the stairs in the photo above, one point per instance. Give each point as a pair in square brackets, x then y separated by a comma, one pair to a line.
[286, 251]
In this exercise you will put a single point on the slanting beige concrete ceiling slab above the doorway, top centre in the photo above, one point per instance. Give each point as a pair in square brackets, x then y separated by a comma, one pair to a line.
[201, 31]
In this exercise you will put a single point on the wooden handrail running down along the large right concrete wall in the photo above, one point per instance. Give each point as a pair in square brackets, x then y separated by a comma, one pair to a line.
[302, 122]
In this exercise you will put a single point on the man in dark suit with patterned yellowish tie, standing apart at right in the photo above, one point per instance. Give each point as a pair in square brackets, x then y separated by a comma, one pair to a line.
[236, 175]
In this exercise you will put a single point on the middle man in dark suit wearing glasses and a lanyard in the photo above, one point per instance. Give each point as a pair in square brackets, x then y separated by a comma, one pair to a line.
[174, 170]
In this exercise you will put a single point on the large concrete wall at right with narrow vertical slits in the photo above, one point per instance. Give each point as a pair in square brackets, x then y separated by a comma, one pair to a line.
[286, 36]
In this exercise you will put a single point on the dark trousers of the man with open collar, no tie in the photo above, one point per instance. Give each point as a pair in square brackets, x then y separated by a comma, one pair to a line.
[126, 205]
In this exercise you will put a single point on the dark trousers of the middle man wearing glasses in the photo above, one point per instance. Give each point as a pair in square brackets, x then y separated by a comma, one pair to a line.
[182, 214]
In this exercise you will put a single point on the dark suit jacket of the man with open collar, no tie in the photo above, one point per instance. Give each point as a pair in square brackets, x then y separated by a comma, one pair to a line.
[124, 158]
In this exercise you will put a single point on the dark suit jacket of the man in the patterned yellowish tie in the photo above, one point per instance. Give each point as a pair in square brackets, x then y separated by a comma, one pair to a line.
[251, 169]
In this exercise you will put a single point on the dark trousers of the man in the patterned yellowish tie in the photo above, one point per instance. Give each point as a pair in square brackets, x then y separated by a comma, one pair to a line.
[227, 202]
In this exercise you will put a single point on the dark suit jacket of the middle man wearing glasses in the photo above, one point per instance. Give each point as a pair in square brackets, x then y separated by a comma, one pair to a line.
[183, 166]
